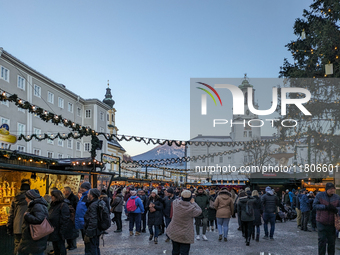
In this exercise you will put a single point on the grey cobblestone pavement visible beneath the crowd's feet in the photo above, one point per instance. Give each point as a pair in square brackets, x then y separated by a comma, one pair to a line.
[289, 240]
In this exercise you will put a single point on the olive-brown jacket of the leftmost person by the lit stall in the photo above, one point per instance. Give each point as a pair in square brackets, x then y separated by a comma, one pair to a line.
[16, 214]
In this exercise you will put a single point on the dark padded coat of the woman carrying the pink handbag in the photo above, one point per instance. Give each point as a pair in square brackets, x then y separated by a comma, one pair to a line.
[37, 212]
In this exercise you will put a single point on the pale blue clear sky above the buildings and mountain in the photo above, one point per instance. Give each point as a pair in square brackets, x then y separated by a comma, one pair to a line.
[149, 50]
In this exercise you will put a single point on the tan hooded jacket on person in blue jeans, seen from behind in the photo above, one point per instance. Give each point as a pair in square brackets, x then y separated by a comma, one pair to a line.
[224, 205]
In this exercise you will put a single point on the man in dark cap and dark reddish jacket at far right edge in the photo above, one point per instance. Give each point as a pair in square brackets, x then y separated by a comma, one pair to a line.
[326, 205]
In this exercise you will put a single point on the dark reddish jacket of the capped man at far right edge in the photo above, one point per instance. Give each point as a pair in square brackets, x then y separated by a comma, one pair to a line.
[324, 216]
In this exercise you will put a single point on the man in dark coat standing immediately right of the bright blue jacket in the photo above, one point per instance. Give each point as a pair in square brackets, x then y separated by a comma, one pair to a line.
[91, 230]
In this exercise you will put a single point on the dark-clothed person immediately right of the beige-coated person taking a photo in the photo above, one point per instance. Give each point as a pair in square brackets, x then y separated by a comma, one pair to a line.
[202, 199]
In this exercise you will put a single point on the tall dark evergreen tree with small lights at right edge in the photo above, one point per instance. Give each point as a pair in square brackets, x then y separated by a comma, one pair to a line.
[318, 44]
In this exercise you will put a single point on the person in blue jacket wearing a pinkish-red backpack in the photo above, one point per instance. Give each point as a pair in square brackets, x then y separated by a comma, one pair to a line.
[134, 216]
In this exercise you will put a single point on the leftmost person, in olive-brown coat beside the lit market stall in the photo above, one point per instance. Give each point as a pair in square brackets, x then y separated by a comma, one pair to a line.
[16, 215]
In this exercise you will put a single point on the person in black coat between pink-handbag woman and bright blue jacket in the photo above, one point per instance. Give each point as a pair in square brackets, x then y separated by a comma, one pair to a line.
[59, 217]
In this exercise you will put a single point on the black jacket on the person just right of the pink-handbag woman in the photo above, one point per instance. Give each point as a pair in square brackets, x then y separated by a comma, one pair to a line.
[59, 217]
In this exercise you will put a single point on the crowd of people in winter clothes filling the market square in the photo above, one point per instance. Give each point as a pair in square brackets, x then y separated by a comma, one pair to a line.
[175, 212]
